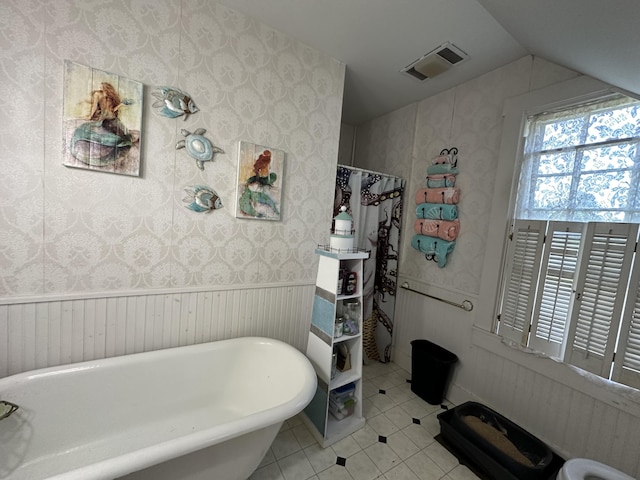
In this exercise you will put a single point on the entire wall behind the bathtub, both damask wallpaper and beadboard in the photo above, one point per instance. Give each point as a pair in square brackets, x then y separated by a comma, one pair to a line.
[95, 264]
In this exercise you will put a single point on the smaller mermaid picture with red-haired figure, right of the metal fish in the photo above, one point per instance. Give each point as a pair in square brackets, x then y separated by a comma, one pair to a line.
[260, 176]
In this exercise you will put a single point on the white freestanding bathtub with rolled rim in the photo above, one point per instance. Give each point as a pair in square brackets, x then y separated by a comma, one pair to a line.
[207, 411]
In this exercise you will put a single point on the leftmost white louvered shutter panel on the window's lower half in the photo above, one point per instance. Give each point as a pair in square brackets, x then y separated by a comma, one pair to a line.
[523, 260]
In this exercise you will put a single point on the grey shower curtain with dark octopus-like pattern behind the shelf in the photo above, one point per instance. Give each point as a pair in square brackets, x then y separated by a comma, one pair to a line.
[374, 200]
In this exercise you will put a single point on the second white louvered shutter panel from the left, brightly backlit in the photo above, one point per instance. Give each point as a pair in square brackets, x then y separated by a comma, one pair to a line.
[558, 277]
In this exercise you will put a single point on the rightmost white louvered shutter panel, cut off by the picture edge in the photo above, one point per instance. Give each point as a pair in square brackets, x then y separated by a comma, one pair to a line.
[626, 368]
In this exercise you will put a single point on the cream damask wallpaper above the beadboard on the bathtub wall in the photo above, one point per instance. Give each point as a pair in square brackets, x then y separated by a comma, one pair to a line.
[74, 231]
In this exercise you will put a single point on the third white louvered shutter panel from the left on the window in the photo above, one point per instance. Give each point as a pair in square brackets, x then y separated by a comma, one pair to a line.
[600, 293]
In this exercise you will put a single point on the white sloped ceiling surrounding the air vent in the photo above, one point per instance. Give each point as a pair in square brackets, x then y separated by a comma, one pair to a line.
[376, 39]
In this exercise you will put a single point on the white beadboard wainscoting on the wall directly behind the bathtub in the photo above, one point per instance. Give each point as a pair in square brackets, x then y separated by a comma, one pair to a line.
[47, 332]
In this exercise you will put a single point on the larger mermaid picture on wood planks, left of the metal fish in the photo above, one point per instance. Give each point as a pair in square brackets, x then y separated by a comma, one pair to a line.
[102, 118]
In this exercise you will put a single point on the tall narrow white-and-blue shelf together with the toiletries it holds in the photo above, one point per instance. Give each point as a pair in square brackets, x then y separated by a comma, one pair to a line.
[335, 347]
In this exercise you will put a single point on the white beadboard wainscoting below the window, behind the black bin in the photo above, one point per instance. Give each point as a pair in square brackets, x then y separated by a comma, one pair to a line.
[573, 412]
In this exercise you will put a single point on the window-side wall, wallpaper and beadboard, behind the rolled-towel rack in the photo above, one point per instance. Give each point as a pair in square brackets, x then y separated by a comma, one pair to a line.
[575, 414]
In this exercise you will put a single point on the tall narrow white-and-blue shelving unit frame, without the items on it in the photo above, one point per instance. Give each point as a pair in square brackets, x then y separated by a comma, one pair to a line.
[327, 304]
